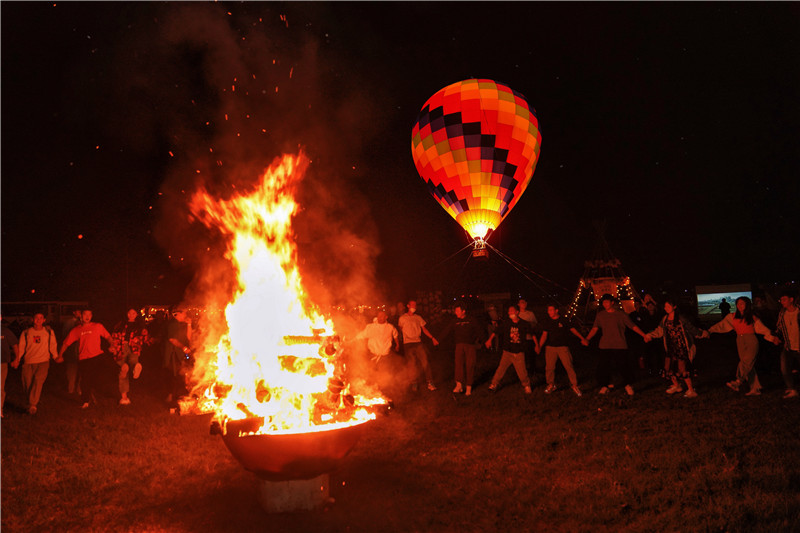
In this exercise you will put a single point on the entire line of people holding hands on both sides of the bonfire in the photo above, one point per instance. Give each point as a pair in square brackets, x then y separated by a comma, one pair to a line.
[652, 338]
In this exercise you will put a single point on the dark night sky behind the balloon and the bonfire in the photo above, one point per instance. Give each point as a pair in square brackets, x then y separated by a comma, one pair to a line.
[673, 124]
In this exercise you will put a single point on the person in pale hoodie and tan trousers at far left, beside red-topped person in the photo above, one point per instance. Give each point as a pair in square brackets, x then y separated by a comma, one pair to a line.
[37, 345]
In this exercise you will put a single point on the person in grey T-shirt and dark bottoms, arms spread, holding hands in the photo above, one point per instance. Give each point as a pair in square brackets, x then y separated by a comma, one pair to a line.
[613, 346]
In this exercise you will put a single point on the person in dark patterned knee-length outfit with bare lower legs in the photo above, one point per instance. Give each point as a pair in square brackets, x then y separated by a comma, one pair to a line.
[679, 347]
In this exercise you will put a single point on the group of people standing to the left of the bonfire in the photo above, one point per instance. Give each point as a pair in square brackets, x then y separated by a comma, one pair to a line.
[82, 348]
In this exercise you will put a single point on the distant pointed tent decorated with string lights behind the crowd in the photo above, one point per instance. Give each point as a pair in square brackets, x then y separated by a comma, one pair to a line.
[602, 274]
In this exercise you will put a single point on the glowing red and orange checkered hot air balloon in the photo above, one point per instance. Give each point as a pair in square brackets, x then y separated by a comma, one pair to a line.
[476, 143]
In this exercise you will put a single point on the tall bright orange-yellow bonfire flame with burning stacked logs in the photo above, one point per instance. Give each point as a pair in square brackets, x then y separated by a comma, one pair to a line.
[276, 357]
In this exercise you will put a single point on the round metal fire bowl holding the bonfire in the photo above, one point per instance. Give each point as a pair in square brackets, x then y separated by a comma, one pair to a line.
[292, 456]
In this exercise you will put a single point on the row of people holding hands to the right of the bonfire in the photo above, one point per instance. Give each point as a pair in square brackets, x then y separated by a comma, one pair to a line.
[655, 339]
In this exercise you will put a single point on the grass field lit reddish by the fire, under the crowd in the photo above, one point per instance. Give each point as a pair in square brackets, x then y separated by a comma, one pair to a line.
[438, 462]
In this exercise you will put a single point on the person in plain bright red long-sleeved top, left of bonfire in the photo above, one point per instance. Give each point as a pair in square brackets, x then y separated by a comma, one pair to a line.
[88, 336]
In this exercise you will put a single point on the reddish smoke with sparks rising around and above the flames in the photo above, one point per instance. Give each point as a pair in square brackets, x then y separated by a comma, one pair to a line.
[218, 95]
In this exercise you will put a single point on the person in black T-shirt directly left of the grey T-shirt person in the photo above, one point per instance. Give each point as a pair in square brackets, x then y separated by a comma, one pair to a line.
[555, 339]
